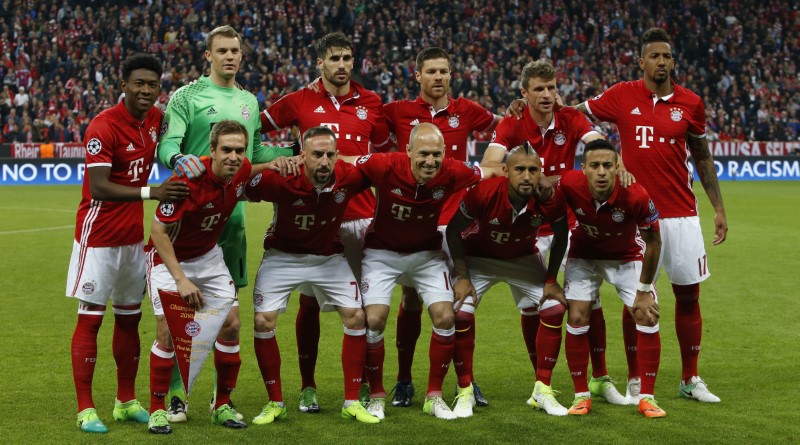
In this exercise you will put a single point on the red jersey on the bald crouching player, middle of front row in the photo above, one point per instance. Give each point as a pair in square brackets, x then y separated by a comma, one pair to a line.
[407, 214]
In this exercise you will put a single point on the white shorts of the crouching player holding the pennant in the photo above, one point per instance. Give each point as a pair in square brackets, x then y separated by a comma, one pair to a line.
[208, 272]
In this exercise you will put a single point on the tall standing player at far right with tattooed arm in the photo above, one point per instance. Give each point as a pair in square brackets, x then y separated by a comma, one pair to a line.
[660, 125]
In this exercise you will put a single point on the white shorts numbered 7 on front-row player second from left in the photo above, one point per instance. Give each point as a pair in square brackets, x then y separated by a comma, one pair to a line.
[327, 276]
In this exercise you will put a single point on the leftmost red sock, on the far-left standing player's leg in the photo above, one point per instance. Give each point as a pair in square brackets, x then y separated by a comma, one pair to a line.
[84, 355]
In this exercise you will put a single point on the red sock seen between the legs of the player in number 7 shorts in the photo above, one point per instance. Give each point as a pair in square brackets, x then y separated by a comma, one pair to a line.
[306, 330]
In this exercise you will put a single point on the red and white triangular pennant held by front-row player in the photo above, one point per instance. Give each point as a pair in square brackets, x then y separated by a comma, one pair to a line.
[193, 331]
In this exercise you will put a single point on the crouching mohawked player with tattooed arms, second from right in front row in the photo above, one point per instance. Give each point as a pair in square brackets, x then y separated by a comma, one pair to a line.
[499, 219]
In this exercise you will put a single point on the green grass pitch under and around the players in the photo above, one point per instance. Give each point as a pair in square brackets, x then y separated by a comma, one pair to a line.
[750, 357]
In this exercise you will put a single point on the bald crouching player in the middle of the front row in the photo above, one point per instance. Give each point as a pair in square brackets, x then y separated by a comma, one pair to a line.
[403, 241]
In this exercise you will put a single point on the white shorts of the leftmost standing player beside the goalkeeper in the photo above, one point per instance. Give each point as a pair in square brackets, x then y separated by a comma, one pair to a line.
[99, 273]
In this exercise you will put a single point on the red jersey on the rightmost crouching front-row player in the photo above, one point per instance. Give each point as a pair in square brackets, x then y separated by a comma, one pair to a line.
[608, 230]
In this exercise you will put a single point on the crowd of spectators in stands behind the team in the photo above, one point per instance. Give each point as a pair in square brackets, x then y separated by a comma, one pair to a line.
[60, 60]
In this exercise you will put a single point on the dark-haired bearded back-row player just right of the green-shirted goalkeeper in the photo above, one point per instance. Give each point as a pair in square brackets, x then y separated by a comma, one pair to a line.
[356, 118]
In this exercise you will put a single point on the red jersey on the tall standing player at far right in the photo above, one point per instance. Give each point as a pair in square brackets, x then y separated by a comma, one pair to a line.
[653, 140]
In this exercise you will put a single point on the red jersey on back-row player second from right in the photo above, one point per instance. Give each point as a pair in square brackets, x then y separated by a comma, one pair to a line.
[556, 148]
